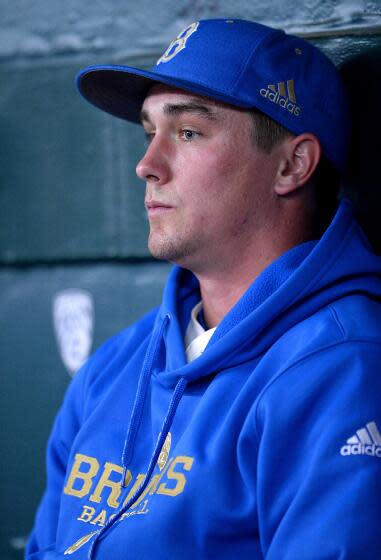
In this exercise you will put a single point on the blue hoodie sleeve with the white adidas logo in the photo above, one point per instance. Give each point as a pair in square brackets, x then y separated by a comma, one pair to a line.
[319, 461]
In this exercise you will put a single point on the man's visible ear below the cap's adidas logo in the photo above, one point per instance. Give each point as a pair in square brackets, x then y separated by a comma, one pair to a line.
[299, 159]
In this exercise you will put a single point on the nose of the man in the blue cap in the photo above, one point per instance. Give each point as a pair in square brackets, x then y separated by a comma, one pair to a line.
[153, 167]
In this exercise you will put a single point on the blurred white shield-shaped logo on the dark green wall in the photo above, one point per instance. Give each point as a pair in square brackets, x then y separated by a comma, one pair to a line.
[73, 318]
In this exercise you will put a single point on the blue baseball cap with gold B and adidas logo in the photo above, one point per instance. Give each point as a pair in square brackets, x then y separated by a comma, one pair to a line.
[245, 64]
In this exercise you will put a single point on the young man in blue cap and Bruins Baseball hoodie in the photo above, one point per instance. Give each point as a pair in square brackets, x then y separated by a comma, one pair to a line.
[241, 417]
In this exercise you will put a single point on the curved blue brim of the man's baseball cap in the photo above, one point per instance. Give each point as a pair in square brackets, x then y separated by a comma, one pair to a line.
[121, 90]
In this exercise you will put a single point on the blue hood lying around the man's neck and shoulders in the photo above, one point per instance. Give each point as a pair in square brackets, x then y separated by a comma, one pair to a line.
[295, 286]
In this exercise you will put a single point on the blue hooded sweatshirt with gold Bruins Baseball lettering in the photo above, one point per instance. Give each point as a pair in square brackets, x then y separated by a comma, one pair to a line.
[266, 446]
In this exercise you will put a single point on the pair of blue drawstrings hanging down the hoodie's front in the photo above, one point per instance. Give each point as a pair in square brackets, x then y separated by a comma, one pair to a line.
[133, 428]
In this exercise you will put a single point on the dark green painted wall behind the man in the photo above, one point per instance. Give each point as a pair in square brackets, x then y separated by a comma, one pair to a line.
[71, 214]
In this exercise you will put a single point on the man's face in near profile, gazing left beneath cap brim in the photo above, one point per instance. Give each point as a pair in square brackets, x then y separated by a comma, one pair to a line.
[208, 188]
